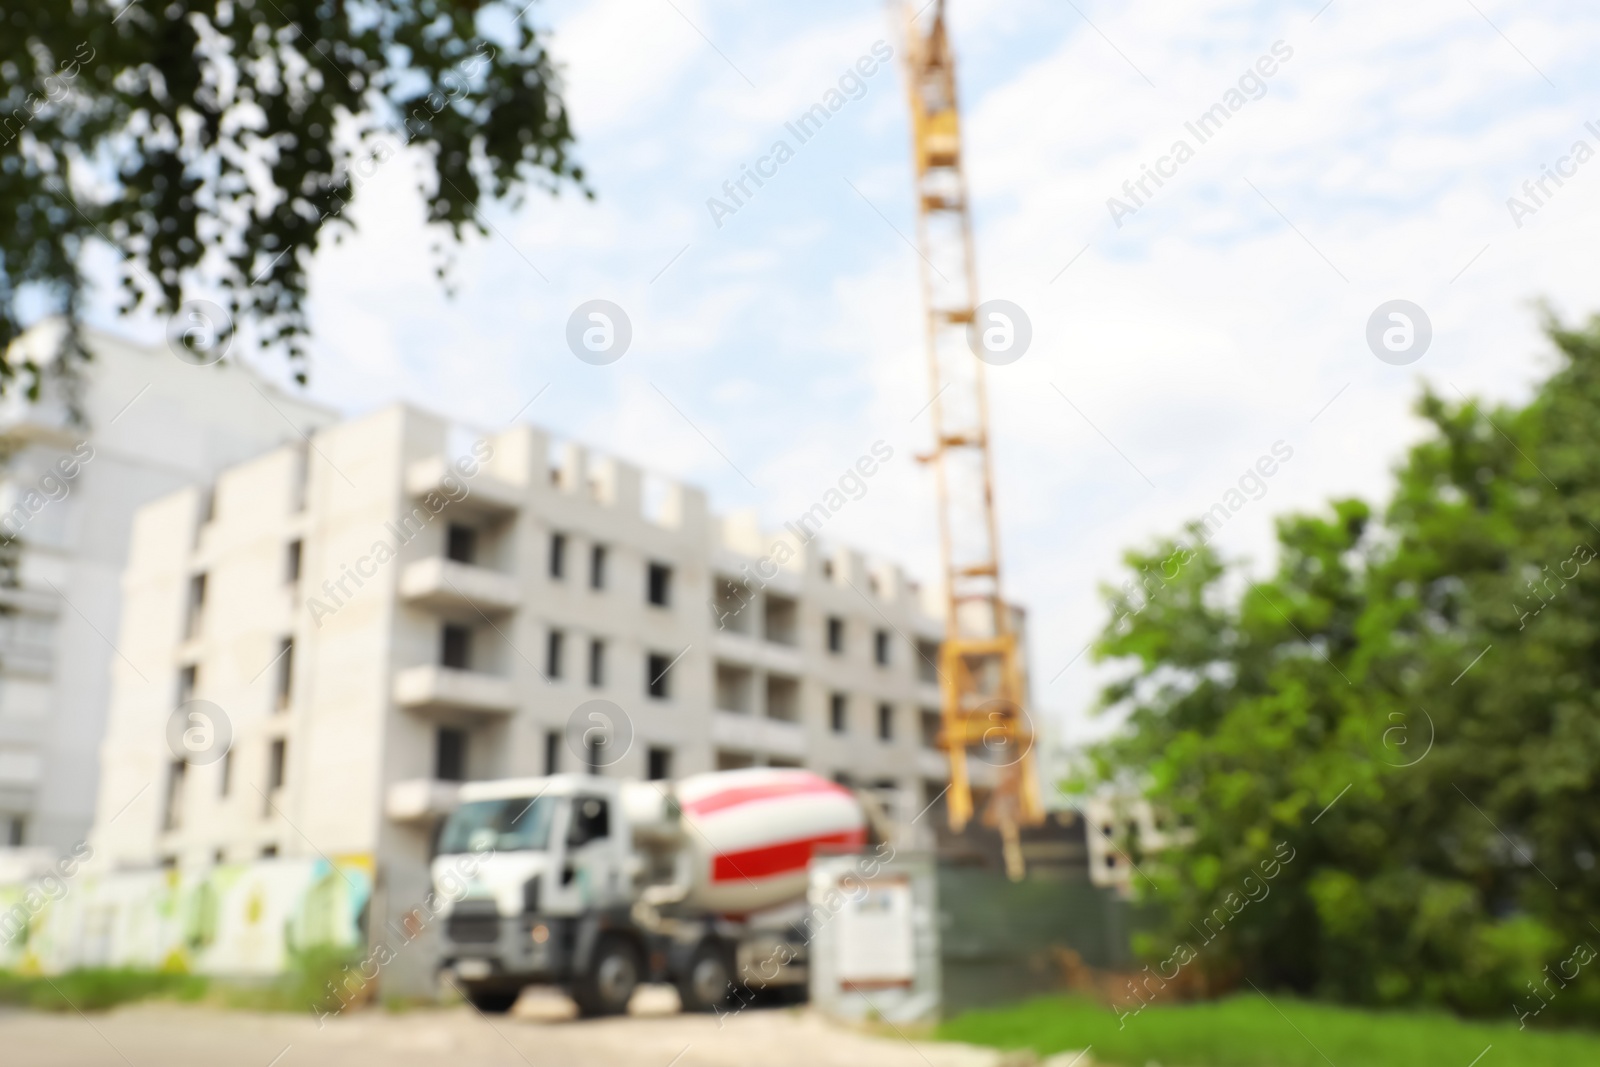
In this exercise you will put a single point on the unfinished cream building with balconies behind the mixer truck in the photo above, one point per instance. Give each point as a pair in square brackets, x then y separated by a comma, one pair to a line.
[321, 644]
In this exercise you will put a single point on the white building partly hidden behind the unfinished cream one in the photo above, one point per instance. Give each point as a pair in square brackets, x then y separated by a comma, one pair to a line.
[106, 438]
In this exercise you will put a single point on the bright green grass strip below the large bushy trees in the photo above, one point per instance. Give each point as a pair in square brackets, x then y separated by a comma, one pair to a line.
[1249, 1033]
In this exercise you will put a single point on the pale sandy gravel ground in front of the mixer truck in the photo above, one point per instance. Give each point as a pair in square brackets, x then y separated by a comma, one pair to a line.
[538, 1033]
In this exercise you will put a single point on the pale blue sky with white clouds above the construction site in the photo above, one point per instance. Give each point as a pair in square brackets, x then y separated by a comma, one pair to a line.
[1226, 314]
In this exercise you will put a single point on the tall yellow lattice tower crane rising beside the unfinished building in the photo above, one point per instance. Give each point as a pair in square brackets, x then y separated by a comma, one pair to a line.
[982, 674]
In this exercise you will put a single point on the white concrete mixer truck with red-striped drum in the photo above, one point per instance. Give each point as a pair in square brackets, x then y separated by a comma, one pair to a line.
[598, 885]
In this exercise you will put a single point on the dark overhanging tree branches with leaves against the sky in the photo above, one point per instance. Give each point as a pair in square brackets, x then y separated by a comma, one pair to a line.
[214, 145]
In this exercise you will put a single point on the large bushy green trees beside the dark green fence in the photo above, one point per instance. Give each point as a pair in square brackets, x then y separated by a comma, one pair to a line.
[1412, 703]
